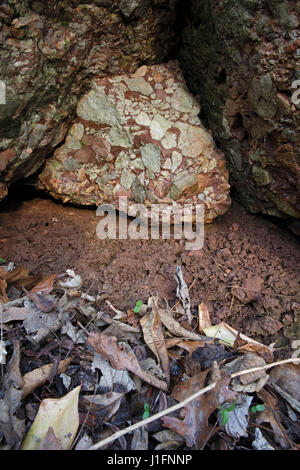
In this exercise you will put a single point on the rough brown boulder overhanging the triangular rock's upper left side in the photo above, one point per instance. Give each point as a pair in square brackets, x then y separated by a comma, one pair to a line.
[49, 52]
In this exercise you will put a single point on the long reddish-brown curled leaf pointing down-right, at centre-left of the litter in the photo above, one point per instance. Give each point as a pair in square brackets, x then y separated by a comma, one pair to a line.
[121, 358]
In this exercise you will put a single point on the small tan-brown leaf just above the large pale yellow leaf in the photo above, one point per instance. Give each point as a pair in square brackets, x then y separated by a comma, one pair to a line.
[38, 377]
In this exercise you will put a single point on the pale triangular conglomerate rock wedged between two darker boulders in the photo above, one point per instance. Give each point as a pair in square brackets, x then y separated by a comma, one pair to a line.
[134, 138]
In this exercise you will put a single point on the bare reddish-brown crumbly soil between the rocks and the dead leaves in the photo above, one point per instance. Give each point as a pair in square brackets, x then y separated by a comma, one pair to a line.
[248, 271]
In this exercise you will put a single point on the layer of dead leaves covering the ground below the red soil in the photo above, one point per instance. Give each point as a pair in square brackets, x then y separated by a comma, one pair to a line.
[73, 374]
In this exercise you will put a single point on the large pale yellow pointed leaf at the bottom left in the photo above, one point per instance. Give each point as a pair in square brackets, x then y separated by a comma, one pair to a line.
[59, 414]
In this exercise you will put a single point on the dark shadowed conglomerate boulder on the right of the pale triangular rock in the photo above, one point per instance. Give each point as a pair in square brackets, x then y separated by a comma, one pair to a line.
[242, 56]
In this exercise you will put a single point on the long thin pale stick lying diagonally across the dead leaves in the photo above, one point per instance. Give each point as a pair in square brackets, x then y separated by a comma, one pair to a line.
[144, 422]
